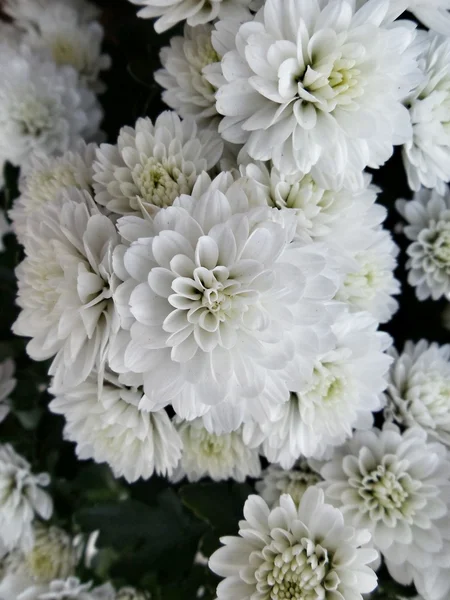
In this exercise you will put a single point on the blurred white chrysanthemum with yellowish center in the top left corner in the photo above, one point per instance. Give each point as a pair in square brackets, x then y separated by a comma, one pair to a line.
[60, 29]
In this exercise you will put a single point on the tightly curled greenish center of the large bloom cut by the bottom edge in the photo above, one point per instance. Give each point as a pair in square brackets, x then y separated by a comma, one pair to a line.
[302, 572]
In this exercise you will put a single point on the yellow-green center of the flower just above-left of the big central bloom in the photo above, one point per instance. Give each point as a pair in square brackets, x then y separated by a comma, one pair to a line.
[159, 183]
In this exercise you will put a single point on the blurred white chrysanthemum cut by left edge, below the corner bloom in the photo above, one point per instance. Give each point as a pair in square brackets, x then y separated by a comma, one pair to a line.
[44, 109]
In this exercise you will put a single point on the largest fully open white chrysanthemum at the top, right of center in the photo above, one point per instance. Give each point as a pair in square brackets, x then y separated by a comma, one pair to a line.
[307, 79]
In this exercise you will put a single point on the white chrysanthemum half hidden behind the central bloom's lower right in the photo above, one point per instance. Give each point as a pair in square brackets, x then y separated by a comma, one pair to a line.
[340, 396]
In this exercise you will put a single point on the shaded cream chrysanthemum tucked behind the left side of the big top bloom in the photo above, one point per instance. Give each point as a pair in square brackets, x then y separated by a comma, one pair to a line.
[186, 89]
